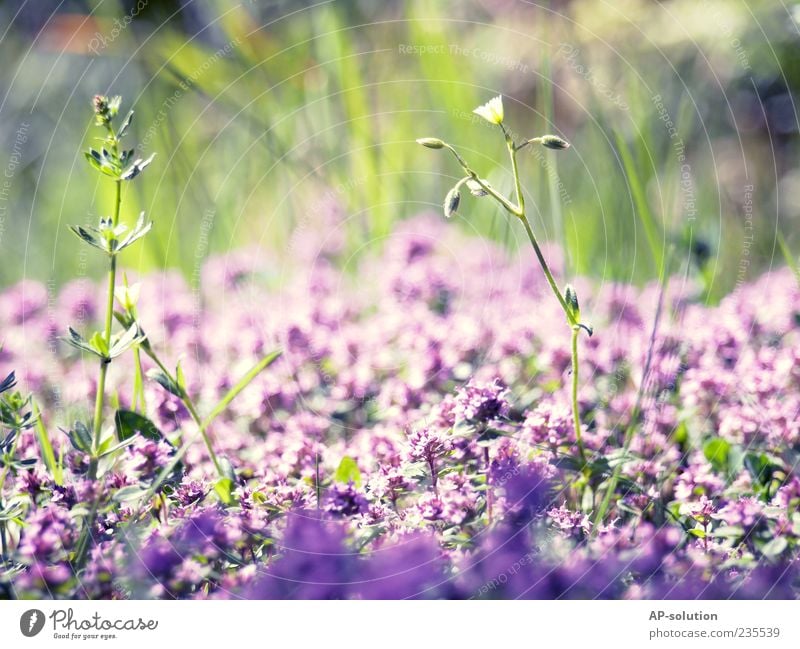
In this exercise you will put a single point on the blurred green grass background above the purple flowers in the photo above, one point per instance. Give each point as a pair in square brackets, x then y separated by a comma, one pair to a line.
[275, 118]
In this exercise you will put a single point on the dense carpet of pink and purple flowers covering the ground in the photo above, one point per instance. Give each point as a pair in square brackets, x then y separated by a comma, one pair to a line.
[414, 439]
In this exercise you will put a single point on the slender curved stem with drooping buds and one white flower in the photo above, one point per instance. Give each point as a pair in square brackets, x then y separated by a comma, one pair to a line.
[493, 113]
